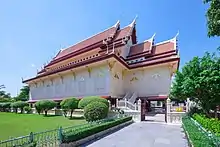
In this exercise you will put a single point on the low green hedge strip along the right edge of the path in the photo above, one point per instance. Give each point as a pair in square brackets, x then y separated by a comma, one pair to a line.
[198, 138]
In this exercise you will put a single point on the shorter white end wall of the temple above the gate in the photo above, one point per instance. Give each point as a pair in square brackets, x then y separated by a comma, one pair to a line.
[151, 81]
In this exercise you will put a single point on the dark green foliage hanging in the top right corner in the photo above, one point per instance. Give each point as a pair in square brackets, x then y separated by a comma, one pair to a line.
[213, 17]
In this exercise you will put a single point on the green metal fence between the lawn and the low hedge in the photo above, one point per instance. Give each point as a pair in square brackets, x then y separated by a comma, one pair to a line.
[49, 138]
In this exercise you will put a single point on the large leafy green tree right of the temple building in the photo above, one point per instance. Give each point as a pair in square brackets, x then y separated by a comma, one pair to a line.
[200, 81]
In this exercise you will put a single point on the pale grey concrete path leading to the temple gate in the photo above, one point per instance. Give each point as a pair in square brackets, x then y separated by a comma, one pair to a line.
[144, 134]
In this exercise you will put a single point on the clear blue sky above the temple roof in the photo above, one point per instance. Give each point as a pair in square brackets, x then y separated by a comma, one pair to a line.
[32, 32]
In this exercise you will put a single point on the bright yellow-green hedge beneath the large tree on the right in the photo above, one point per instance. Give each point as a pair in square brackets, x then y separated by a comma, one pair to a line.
[211, 124]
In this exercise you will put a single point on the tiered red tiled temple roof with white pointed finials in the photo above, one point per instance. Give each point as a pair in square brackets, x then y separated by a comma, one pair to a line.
[142, 54]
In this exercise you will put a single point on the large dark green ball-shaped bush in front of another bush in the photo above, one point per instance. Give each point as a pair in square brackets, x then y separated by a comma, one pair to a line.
[95, 111]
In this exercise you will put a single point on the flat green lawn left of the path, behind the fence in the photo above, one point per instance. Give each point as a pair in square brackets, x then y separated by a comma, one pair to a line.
[15, 125]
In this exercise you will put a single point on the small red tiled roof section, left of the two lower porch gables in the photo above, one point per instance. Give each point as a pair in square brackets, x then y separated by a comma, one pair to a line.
[140, 48]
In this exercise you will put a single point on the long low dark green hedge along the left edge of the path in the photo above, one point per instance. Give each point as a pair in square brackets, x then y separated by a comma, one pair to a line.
[88, 130]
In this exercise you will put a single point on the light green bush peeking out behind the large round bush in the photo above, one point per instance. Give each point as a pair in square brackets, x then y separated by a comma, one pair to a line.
[86, 100]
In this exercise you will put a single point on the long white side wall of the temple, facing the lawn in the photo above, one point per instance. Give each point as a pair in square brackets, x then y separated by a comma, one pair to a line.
[82, 85]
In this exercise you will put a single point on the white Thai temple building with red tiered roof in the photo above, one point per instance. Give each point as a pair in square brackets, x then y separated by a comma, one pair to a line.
[111, 64]
